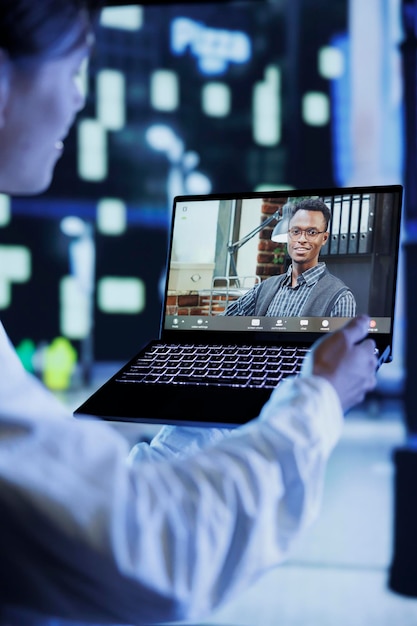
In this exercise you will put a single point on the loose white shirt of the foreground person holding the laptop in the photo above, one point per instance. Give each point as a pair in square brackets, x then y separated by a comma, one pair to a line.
[168, 532]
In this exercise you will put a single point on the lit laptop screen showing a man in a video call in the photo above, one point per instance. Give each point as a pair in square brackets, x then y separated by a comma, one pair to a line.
[283, 262]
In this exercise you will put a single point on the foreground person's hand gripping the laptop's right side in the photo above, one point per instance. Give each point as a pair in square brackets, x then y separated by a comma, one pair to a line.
[347, 360]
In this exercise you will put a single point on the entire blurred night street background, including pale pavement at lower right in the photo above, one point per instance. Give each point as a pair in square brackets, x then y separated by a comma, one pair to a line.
[200, 96]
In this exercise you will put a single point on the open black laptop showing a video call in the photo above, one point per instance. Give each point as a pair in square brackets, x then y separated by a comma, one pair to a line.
[213, 362]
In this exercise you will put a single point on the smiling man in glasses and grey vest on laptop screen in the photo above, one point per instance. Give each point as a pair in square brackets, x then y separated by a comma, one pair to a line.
[307, 289]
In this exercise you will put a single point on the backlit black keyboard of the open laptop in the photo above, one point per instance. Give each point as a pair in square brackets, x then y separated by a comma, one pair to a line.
[237, 366]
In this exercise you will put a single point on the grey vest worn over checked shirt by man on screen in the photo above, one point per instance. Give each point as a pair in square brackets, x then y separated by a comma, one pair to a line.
[319, 303]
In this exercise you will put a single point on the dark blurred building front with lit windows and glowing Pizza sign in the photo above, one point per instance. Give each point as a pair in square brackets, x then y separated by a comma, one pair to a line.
[191, 98]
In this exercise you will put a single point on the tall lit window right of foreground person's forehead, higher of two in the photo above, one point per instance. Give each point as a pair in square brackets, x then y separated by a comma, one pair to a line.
[111, 96]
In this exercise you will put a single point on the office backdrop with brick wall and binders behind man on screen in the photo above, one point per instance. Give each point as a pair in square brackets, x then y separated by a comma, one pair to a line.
[222, 249]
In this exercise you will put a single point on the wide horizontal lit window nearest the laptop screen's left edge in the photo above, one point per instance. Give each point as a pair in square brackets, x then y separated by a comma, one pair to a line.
[121, 295]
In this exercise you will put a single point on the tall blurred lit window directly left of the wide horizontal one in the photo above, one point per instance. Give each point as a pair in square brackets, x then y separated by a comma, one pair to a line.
[75, 309]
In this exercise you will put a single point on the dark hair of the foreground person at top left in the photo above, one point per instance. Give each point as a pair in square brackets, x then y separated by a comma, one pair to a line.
[43, 29]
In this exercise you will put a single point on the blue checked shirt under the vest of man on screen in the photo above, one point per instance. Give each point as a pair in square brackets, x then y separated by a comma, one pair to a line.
[289, 301]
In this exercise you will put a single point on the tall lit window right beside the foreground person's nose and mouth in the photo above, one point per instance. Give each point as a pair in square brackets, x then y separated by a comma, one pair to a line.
[92, 151]
